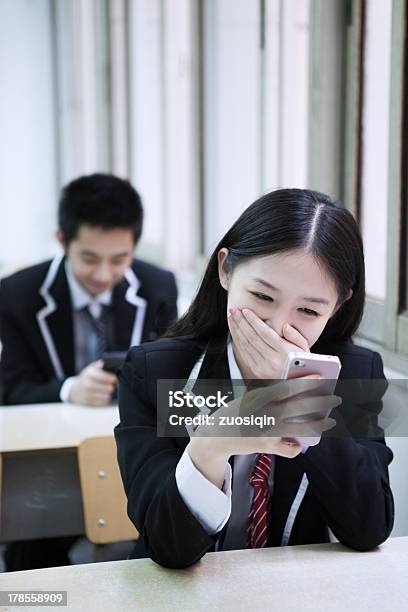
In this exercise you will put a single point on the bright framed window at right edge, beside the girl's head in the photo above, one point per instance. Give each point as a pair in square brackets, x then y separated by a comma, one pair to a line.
[376, 183]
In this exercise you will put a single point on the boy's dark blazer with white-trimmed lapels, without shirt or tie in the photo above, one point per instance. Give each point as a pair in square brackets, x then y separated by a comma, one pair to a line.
[36, 327]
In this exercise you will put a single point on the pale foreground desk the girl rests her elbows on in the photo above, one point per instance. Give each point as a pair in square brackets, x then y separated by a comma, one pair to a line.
[326, 577]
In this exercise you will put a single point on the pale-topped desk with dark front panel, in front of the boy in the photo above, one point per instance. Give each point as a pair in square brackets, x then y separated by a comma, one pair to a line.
[40, 489]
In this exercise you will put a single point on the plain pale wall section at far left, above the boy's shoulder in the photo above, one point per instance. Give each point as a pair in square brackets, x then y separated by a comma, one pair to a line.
[28, 176]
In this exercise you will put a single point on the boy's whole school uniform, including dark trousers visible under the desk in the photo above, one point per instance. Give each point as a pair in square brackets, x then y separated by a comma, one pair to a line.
[48, 337]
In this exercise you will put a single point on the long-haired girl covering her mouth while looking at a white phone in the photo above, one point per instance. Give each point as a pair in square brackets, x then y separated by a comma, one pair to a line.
[288, 276]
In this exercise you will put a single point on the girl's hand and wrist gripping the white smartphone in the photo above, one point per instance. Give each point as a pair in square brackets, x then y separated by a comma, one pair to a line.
[287, 400]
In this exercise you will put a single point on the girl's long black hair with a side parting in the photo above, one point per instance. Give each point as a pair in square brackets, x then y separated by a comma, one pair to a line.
[285, 220]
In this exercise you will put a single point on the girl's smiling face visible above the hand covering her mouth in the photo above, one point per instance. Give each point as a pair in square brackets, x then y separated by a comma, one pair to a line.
[283, 288]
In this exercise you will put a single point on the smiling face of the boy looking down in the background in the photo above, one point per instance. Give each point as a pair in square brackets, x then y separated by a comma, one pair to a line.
[99, 258]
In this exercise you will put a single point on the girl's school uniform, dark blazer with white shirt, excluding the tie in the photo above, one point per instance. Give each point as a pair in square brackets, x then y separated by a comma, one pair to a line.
[341, 484]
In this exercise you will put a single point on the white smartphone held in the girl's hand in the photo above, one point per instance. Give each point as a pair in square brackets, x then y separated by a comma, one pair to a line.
[303, 364]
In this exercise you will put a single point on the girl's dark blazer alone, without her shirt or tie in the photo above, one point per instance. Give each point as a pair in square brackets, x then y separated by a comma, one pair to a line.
[348, 488]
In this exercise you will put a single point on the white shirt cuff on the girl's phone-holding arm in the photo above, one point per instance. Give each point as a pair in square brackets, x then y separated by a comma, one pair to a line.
[210, 505]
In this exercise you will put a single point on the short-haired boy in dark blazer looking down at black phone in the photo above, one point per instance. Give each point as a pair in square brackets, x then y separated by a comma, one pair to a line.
[59, 317]
